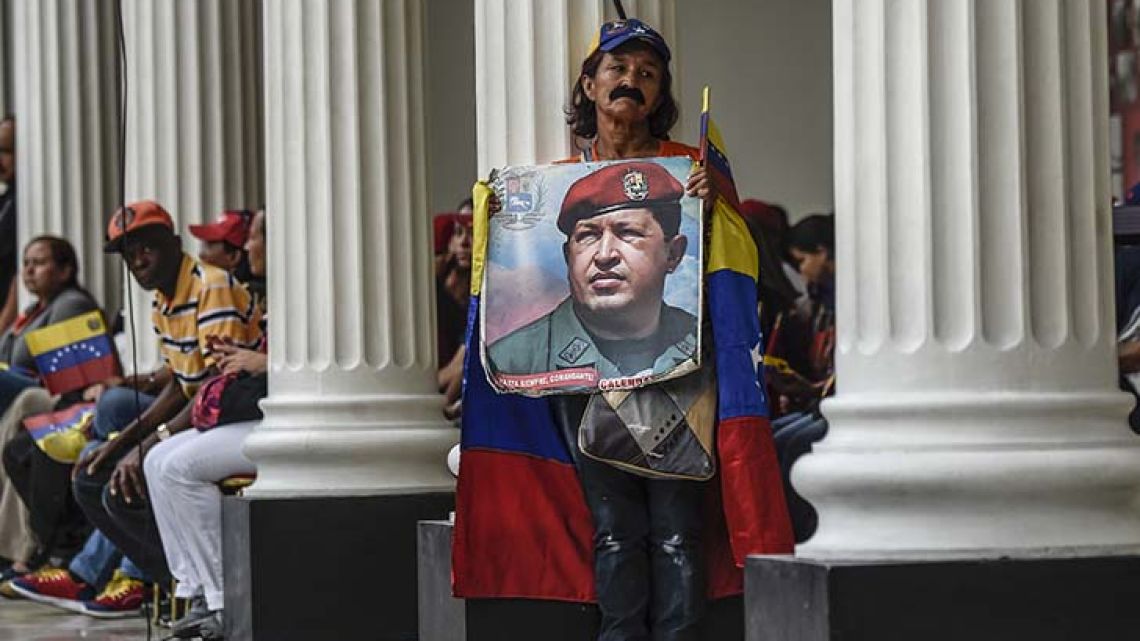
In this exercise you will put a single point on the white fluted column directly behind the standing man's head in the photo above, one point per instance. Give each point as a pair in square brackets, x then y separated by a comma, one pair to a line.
[528, 56]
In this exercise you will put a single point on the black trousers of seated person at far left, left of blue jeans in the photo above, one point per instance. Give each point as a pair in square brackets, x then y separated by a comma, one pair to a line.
[45, 488]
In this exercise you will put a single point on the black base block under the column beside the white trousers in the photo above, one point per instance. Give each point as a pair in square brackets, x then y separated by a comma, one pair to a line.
[299, 570]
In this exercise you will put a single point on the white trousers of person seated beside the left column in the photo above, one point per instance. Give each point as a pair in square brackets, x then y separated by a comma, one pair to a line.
[182, 476]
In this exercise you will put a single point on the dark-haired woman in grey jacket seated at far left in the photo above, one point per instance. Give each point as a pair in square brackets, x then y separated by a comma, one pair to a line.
[51, 273]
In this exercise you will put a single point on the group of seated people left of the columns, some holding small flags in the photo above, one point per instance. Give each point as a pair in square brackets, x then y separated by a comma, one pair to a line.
[126, 497]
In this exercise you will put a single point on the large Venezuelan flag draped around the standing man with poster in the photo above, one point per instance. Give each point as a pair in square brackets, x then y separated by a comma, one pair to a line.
[523, 529]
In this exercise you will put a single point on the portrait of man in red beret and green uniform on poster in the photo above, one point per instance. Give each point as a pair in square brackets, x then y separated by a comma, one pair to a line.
[622, 244]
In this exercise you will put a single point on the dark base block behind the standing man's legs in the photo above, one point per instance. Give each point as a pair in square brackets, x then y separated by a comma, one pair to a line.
[446, 619]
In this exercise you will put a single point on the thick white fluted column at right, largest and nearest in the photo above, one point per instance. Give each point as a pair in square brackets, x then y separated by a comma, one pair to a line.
[978, 412]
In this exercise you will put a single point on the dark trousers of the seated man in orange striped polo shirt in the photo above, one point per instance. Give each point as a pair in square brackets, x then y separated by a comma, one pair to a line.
[131, 526]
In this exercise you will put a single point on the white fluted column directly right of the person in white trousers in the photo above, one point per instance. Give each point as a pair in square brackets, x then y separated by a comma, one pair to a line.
[353, 407]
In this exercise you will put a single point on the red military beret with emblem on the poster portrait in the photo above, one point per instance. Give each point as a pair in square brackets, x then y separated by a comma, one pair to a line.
[629, 185]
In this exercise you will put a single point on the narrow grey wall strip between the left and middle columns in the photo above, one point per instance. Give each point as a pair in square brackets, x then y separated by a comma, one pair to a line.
[450, 90]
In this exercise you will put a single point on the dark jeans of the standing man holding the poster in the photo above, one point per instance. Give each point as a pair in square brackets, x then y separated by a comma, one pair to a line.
[649, 566]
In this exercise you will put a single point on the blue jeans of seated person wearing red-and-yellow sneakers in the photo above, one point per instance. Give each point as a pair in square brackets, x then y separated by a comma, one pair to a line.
[100, 556]
